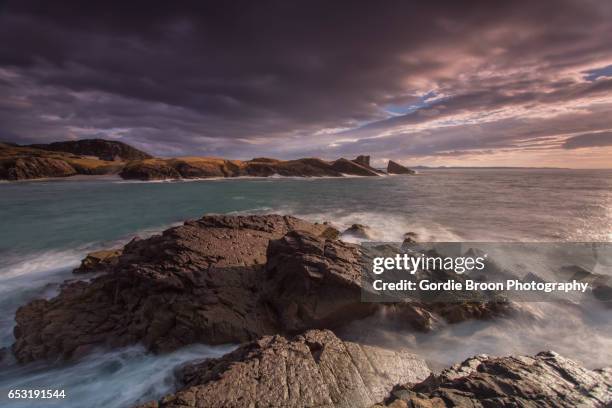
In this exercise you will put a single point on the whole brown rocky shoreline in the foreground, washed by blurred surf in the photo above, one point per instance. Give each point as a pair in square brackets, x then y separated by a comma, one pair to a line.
[279, 286]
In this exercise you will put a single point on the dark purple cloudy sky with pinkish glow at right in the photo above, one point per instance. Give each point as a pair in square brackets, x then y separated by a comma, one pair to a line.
[473, 83]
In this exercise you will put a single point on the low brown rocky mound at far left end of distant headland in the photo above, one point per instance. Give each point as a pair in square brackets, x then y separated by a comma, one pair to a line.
[34, 167]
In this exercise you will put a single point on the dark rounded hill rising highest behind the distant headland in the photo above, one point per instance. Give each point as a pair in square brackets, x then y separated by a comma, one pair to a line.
[109, 150]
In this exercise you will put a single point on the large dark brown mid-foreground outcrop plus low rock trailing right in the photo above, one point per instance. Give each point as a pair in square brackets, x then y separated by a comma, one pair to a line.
[219, 279]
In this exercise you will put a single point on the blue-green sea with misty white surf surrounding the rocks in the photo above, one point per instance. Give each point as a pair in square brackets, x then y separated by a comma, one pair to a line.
[48, 226]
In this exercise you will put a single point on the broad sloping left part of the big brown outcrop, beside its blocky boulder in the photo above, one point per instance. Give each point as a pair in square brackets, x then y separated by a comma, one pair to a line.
[197, 282]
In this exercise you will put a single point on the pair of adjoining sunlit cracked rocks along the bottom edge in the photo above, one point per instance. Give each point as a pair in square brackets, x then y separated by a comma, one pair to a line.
[317, 369]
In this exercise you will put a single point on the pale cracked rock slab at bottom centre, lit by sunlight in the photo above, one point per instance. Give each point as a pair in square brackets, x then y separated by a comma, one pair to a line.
[315, 369]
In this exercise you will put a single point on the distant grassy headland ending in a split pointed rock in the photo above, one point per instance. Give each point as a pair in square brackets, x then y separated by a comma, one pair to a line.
[98, 157]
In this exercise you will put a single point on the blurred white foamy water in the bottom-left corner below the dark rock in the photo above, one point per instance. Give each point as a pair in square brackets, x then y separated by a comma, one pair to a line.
[114, 379]
